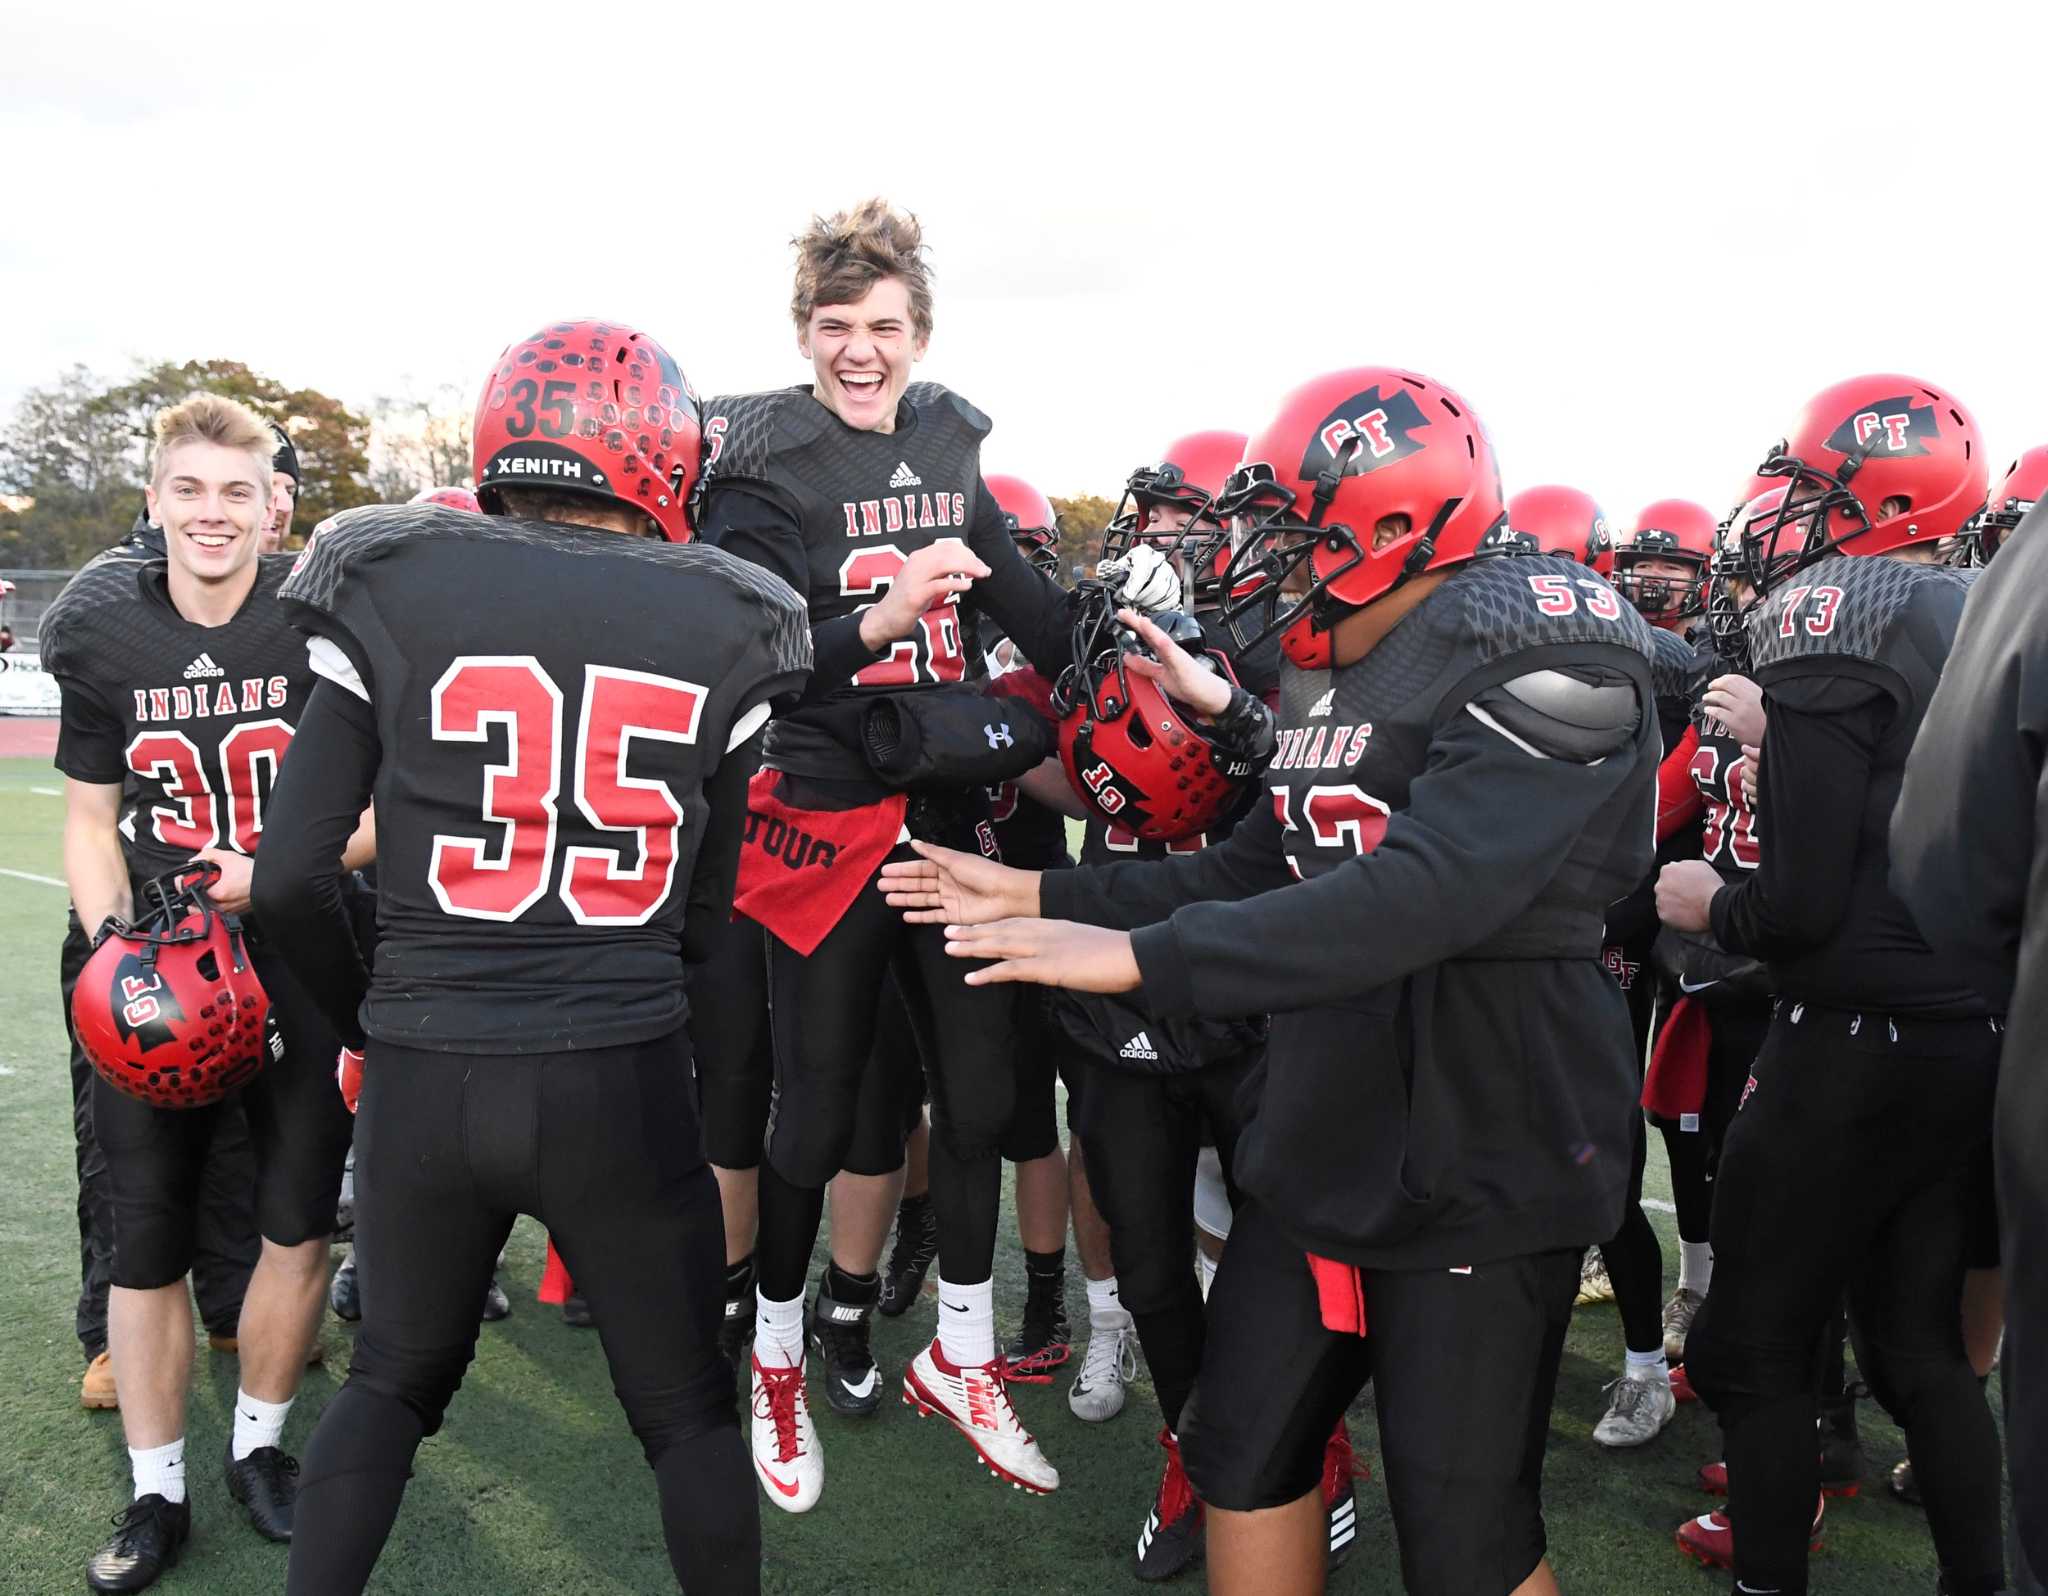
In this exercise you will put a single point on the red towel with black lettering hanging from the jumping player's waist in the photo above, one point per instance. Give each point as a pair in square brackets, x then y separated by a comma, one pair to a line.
[802, 870]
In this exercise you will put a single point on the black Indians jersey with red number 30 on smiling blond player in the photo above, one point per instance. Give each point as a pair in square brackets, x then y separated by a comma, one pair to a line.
[191, 720]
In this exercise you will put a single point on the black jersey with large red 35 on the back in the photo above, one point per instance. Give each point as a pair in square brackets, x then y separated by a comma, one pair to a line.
[550, 704]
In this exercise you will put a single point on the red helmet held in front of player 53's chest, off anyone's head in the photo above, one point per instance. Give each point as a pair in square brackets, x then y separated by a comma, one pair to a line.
[1134, 755]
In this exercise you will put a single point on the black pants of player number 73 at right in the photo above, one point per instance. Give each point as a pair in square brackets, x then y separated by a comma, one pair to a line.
[1850, 1169]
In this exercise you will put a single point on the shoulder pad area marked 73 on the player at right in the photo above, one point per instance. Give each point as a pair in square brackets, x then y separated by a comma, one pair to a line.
[1848, 607]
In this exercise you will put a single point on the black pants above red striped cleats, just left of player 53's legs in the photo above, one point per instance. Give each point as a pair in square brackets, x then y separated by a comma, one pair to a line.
[1144, 1138]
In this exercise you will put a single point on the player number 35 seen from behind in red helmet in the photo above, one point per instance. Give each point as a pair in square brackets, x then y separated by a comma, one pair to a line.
[542, 702]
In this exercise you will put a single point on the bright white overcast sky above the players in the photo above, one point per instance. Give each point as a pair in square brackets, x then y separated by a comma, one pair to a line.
[1633, 237]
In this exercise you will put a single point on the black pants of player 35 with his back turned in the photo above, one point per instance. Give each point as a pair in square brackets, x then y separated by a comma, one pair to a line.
[605, 1150]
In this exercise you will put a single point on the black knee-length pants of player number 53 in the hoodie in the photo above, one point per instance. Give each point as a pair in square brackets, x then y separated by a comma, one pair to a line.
[1463, 1370]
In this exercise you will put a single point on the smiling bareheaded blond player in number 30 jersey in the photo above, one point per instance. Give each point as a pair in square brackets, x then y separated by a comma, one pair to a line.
[183, 685]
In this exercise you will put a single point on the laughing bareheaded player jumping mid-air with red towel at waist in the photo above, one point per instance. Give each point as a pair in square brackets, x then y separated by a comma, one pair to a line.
[865, 493]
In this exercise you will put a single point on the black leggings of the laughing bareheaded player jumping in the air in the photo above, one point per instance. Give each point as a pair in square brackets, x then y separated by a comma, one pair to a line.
[824, 1032]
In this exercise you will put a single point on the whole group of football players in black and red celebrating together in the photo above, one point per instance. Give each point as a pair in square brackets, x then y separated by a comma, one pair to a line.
[673, 831]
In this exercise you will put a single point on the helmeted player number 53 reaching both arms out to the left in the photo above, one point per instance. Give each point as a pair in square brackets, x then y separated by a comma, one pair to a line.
[1445, 1118]
